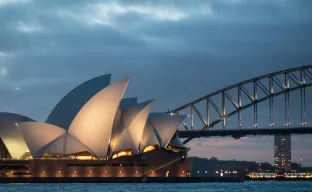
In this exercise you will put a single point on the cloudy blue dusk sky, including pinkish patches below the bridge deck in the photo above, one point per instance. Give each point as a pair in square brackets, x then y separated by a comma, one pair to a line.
[174, 50]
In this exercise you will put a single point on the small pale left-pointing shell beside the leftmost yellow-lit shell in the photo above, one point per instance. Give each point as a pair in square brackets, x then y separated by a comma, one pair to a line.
[39, 135]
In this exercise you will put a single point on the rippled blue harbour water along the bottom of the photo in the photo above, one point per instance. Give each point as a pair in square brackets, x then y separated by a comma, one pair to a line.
[254, 186]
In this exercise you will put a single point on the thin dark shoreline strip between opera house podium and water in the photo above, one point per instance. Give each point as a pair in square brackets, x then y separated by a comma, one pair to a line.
[122, 180]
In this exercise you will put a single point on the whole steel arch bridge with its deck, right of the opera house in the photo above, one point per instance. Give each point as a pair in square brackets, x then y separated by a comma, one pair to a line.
[269, 93]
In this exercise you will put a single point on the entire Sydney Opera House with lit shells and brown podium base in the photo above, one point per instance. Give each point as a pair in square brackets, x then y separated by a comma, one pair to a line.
[94, 132]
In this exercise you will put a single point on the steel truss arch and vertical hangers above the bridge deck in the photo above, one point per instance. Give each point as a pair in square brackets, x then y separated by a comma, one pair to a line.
[278, 83]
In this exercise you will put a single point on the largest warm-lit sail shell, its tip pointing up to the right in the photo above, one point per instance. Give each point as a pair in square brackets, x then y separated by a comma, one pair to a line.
[94, 122]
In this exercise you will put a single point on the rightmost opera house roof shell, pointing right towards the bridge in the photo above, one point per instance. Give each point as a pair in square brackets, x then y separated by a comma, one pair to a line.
[166, 125]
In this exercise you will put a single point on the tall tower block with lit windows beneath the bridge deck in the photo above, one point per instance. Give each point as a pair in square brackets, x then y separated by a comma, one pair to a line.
[282, 151]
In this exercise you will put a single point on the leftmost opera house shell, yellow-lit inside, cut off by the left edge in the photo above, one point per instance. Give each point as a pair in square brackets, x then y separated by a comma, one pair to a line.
[11, 135]
